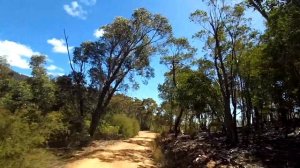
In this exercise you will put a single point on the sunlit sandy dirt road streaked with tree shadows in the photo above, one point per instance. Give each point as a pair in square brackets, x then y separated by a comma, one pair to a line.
[132, 153]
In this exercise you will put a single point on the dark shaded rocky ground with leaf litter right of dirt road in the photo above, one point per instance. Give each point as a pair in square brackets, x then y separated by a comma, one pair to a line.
[271, 150]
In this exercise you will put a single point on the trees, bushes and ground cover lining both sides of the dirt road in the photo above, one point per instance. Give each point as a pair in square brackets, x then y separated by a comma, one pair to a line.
[236, 103]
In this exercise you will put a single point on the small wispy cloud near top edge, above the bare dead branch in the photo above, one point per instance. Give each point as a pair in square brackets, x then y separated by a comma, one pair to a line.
[75, 9]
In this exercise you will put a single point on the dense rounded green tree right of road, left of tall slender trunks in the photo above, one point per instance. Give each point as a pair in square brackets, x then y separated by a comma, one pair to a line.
[195, 93]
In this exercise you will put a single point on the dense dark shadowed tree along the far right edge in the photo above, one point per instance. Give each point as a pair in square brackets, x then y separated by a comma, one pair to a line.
[282, 51]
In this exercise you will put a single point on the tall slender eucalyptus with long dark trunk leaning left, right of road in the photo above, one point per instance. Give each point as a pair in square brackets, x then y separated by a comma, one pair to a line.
[213, 26]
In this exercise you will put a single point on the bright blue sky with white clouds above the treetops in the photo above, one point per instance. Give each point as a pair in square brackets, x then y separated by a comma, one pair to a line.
[30, 27]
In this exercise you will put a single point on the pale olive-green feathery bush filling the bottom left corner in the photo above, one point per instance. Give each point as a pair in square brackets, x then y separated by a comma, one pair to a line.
[20, 143]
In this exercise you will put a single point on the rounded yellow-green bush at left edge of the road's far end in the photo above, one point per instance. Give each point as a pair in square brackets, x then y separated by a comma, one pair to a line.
[128, 127]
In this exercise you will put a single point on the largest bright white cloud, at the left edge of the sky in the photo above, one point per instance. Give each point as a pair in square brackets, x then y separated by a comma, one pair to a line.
[17, 54]
